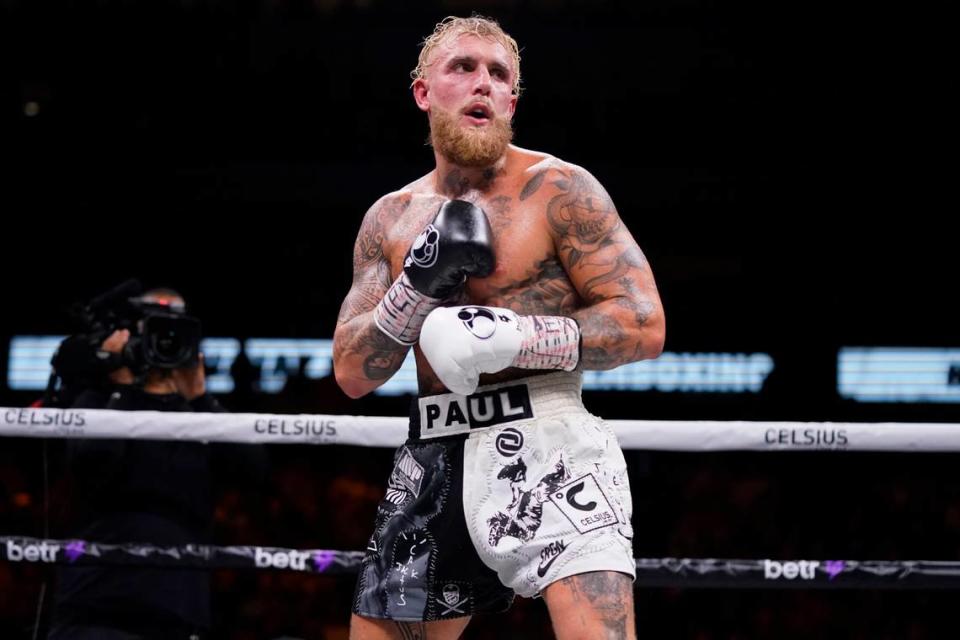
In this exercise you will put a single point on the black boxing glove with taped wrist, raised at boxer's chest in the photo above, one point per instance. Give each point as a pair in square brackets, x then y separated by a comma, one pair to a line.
[456, 245]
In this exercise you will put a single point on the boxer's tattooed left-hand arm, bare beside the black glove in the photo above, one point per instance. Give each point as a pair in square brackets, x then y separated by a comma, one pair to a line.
[363, 356]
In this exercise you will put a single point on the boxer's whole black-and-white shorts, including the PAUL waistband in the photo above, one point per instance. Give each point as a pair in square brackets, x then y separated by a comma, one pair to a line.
[504, 491]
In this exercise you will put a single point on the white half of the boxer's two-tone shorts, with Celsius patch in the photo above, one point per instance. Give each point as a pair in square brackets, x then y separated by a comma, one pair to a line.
[548, 497]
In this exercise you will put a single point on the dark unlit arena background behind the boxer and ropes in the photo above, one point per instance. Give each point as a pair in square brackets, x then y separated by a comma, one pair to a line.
[788, 168]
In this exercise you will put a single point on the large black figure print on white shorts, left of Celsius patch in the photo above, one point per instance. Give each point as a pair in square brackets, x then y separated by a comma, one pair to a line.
[522, 517]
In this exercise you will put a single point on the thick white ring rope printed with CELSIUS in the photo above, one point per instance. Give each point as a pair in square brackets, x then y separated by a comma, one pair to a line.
[371, 431]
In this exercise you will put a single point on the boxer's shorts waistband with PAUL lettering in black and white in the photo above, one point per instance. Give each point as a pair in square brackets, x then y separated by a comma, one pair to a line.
[492, 405]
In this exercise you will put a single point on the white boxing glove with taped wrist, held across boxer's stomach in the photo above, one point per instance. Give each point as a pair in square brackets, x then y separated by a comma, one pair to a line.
[460, 343]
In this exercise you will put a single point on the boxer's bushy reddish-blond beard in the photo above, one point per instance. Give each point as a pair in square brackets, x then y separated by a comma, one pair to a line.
[468, 146]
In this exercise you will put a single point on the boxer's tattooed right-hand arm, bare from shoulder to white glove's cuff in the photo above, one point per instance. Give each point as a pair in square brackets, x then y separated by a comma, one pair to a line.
[623, 318]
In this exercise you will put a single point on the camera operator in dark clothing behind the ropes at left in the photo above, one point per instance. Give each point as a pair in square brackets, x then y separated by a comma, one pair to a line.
[156, 492]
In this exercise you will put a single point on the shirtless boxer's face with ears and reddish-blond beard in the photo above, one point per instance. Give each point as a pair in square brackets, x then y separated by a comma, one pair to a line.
[468, 96]
